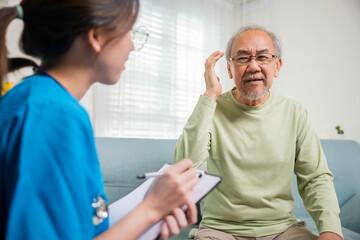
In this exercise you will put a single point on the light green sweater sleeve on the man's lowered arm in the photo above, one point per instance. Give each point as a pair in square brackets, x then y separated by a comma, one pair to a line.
[314, 179]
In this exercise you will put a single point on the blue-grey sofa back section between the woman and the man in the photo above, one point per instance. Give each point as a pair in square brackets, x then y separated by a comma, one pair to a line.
[122, 159]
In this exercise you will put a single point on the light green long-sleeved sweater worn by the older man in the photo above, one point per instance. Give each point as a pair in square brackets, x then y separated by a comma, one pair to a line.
[256, 151]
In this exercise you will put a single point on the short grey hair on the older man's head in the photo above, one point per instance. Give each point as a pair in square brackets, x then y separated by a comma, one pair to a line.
[275, 39]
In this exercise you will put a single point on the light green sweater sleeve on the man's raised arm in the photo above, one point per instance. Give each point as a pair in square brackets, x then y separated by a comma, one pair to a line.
[195, 140]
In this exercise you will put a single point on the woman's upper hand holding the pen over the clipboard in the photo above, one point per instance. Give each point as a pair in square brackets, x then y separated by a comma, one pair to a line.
[172, 189]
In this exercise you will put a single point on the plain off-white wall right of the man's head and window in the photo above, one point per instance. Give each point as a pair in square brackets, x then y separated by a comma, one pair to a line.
[321, 58]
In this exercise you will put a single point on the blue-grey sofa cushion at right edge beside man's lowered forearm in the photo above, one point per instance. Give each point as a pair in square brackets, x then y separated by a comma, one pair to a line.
[350, 214]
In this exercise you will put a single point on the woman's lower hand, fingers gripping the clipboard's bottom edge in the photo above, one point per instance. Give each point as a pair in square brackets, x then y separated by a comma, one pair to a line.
[177, 221]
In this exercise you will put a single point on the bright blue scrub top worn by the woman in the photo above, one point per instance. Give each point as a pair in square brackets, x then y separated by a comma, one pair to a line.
[49, 169]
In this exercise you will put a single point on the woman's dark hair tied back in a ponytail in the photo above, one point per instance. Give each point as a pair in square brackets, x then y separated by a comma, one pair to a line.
[51, 26]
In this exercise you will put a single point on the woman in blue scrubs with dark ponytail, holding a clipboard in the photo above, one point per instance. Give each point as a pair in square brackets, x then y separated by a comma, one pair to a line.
[50, 180]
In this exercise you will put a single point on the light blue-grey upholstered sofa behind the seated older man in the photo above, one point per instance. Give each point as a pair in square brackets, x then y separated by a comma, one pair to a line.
[121, 159]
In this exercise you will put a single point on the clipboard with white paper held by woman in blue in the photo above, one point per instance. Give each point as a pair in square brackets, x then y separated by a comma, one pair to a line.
[123, 206]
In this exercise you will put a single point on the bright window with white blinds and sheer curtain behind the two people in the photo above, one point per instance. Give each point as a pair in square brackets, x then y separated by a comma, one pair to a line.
[161, 84]
